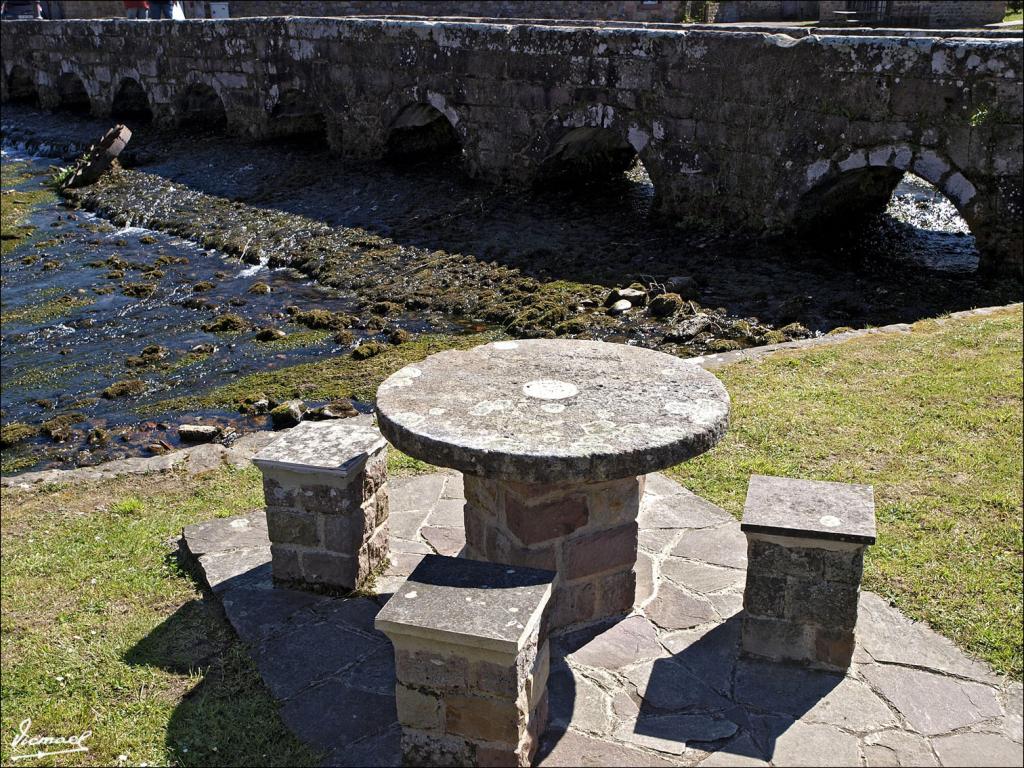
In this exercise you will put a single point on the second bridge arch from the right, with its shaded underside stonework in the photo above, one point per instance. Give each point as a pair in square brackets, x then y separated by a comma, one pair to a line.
[592, 144]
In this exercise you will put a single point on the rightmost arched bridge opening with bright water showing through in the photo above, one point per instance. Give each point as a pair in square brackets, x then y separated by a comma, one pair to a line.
[890, 214]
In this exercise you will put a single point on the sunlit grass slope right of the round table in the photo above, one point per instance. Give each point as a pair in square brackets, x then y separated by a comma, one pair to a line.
[933, 421]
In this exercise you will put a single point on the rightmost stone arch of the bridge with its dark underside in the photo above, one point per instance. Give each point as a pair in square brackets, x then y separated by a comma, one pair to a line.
[859, 184]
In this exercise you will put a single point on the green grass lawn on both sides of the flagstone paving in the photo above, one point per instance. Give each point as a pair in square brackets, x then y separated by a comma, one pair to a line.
[103, 631]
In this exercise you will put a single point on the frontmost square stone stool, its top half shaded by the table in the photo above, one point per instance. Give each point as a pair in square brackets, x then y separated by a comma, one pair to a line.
[472, 662]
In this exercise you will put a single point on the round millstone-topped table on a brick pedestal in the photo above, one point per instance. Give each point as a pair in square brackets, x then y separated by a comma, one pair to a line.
[554, 439]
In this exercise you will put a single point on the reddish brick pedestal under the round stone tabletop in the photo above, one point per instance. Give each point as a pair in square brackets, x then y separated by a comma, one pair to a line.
[585, 532]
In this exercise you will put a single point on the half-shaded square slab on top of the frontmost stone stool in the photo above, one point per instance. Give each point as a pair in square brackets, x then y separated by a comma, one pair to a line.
[468, 603]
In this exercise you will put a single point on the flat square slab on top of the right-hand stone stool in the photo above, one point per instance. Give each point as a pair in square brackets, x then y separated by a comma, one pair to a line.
[813, 509]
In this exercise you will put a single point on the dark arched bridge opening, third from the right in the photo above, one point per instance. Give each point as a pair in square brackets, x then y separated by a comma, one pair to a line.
[424, 127]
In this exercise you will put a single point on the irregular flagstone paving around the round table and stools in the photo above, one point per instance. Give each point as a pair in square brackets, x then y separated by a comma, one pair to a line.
[642, 692]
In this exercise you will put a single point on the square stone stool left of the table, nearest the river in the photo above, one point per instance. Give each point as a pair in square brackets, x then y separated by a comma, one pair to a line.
[327, 504]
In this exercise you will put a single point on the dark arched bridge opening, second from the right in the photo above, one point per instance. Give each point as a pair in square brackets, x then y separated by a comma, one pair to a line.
[598, 161]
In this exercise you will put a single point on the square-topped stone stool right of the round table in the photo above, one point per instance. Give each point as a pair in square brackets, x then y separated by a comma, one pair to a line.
[806, 544]
